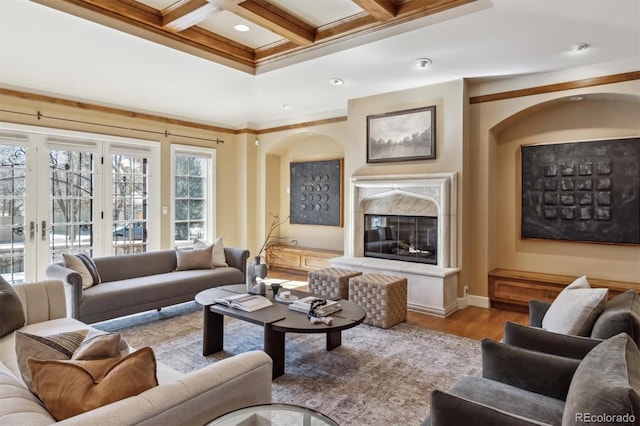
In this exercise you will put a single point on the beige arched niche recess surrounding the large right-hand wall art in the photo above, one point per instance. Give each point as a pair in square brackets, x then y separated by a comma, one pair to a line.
[594, 116]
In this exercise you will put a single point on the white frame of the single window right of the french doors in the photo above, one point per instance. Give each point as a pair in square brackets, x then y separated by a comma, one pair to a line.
[210, 217]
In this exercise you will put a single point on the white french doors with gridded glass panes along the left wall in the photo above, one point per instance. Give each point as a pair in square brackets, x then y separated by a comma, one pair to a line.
[71, 195]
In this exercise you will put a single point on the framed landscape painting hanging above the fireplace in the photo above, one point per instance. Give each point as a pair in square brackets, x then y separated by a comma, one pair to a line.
[402, 135]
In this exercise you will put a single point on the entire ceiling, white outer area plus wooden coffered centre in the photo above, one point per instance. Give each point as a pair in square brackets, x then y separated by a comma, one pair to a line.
[135, 56]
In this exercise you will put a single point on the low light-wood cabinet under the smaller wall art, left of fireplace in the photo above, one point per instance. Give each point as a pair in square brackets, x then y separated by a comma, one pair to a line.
[299, 259]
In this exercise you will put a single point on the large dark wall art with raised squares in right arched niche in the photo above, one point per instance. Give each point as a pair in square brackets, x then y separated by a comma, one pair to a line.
[582, 191]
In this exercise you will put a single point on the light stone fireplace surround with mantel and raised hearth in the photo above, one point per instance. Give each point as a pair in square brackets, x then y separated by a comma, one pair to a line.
[431, 288]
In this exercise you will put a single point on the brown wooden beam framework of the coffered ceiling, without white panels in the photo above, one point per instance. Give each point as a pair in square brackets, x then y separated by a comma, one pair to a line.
[166, 26]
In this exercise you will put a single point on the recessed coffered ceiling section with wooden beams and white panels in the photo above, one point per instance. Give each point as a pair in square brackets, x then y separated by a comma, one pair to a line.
[251, 34]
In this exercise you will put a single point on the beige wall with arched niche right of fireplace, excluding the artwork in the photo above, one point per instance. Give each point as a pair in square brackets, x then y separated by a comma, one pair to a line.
[498, 130]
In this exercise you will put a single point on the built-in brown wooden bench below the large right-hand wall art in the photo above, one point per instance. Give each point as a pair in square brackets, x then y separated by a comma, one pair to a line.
[511, 289]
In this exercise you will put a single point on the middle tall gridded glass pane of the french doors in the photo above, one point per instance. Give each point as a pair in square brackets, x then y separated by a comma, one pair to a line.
[71, 206]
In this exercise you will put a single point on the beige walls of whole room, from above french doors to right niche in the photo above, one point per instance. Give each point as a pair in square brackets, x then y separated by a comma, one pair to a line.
[480, 142]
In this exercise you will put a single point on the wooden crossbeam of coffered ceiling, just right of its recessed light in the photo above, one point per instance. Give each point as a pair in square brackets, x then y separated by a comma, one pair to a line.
[271, 18]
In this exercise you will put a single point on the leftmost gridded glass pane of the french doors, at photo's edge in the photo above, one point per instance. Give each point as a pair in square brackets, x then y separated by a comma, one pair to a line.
[13, 227]
